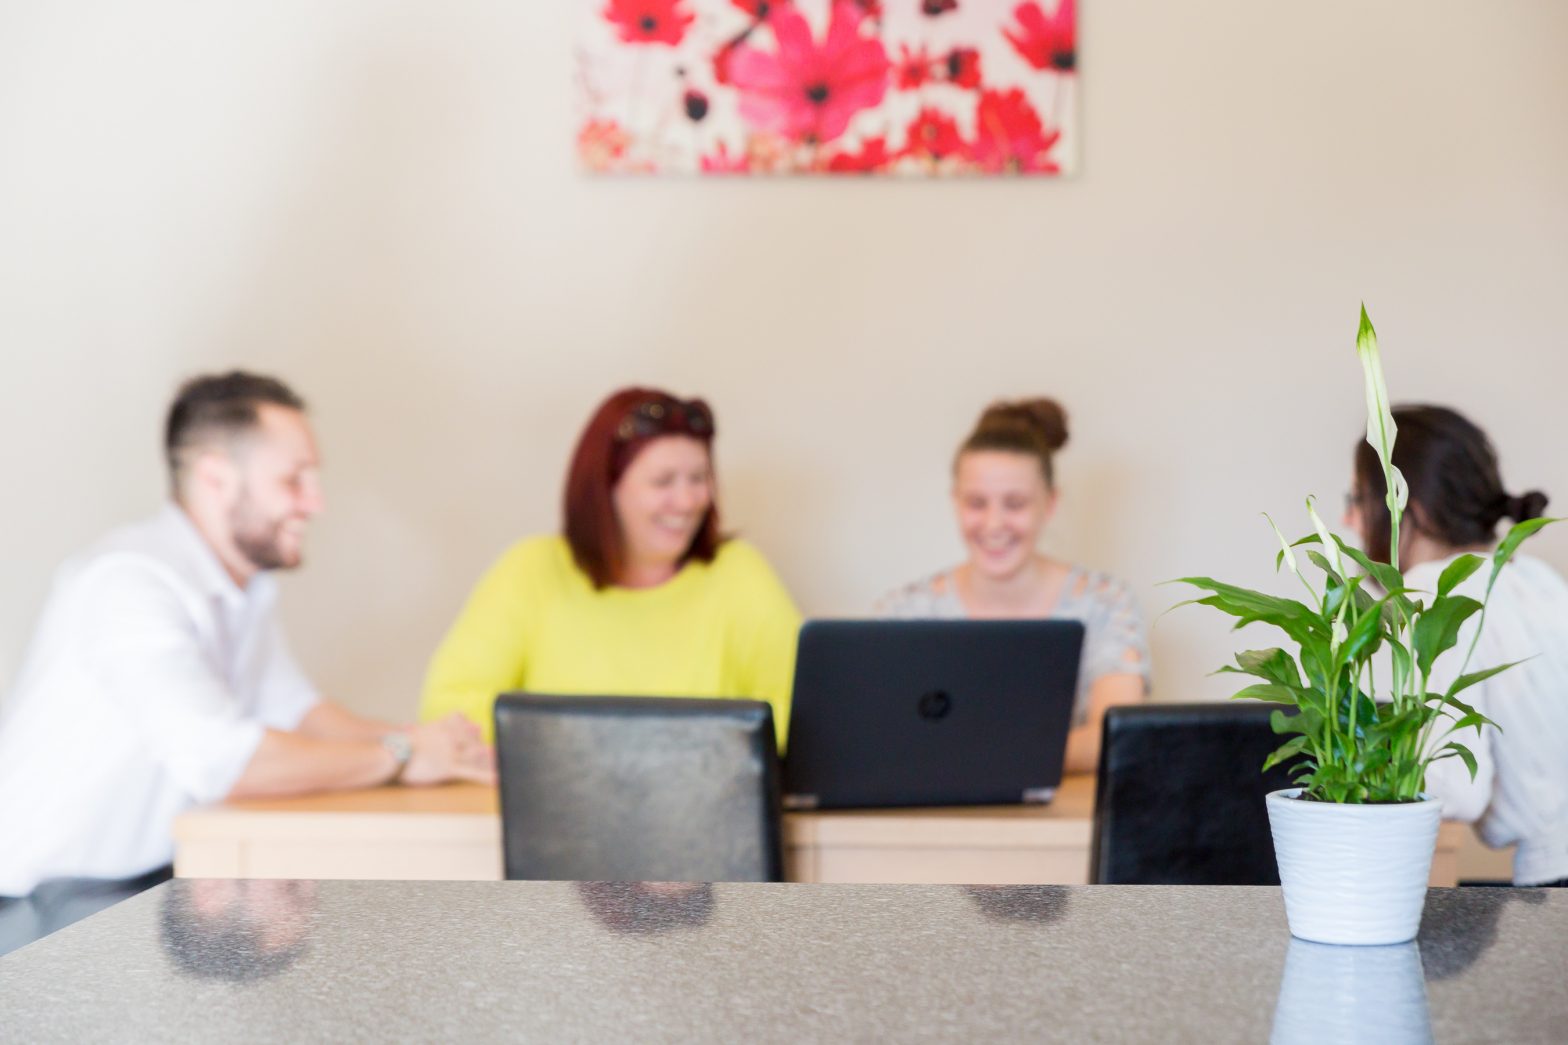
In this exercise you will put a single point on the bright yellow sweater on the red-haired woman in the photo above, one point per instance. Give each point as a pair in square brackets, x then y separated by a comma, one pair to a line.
[535, 624]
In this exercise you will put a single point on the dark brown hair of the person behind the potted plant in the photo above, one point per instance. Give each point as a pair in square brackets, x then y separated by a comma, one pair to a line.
[1456, 487]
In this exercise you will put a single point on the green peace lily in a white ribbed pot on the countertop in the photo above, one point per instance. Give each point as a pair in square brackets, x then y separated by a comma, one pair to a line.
[1356, 839]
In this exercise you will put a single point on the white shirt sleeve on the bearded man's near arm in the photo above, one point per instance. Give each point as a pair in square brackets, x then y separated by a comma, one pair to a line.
[143, 646]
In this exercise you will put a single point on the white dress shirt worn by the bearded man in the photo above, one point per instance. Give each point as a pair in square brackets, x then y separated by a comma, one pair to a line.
[145, 691]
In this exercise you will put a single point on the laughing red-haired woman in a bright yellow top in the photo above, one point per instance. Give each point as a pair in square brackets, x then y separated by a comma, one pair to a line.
[641, 595]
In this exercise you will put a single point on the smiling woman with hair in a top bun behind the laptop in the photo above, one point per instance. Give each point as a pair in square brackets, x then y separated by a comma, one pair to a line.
[1004, 493]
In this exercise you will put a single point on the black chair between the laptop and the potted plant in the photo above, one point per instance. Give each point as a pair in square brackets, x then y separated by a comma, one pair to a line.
[1180, 796]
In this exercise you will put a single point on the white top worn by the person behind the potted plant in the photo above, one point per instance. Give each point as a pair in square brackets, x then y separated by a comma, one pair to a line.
[1520, 795]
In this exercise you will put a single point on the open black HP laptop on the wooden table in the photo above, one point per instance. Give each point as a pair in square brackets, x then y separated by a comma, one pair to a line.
[931, 712]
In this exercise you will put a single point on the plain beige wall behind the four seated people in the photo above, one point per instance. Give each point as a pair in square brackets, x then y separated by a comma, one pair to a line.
[377, 200]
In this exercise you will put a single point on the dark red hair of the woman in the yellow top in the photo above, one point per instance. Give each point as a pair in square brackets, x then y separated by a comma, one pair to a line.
[598, 464]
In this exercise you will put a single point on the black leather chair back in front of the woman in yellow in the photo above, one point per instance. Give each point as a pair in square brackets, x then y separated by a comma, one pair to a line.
[639, 790]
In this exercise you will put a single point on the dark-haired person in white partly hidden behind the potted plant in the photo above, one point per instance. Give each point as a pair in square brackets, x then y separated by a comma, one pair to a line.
[1457, 501]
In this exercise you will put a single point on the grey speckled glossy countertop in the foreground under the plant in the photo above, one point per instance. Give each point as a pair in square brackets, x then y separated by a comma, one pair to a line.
[198, 961]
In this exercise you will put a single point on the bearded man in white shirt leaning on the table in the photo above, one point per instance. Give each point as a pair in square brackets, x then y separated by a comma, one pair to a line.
[159, 677]
